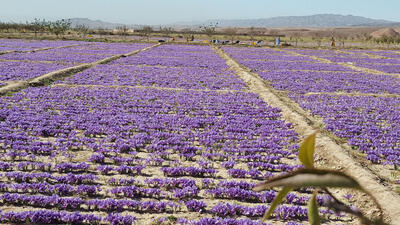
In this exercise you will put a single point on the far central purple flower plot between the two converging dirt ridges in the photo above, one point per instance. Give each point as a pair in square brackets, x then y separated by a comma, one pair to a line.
[199, 68]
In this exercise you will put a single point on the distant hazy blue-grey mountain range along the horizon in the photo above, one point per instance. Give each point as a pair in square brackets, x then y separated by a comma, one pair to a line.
[319, 20]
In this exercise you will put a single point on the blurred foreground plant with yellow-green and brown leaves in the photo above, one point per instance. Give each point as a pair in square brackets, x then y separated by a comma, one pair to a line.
[320, 179]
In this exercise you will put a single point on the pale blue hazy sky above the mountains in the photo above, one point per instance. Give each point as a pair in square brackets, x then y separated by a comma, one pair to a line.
[170, 11]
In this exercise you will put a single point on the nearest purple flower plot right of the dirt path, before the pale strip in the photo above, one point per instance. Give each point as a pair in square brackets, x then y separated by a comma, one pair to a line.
[371, 124]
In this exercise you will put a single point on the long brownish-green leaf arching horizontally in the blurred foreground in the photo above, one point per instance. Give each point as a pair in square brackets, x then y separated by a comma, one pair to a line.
[310, 178]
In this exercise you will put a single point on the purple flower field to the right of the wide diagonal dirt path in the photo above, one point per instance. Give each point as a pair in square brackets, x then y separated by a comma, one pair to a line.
[363, 108]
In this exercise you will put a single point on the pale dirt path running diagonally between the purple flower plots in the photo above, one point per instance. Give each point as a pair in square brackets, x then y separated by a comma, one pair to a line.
[329, 152]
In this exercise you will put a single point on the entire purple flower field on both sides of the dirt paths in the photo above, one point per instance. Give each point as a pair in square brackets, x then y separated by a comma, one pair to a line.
[172, 135]
